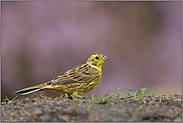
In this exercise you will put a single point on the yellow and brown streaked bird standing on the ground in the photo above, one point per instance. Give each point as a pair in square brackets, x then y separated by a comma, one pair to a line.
[78, 80]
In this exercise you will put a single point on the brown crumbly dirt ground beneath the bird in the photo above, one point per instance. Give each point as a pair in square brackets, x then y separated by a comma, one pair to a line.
[151, 108]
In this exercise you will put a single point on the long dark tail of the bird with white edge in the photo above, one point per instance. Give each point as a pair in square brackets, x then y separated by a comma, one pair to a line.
[29, 90]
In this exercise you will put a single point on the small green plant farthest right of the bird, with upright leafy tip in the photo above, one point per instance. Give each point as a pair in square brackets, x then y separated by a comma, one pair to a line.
[138, 94]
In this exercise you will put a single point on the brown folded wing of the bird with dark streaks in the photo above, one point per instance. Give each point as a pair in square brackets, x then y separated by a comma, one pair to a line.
[80, 74]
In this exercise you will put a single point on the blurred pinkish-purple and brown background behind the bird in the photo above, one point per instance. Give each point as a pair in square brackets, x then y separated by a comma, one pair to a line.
[41, 40]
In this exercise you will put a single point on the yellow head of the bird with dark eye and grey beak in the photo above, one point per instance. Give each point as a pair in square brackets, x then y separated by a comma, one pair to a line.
[97, 60]
